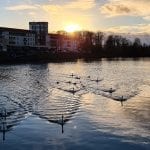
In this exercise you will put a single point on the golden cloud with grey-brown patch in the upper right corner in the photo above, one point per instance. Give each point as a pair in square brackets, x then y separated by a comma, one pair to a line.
[126, 7]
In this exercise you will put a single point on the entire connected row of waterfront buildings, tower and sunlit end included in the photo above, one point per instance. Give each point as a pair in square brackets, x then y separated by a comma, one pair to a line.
[37, 38]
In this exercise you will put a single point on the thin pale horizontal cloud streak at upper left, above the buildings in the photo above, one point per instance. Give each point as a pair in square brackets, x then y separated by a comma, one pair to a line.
[21, 7]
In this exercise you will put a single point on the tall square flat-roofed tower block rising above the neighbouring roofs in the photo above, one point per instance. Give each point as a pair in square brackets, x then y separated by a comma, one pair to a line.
[41, 29]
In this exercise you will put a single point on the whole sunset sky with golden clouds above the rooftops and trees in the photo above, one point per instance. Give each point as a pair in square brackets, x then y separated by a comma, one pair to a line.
[129, 16]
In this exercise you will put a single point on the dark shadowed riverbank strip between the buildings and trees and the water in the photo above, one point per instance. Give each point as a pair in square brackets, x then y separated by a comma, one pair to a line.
[48, 56]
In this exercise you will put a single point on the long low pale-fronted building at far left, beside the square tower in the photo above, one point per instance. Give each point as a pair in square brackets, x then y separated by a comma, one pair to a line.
[10, 37]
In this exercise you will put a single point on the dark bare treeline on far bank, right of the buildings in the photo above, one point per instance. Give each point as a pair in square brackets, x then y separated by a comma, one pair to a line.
[113, 46]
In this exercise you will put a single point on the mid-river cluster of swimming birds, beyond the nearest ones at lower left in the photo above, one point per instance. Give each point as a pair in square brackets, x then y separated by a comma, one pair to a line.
[79, 84]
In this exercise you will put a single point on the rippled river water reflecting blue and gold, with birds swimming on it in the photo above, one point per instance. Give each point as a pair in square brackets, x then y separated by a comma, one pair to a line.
[78, 105]
